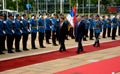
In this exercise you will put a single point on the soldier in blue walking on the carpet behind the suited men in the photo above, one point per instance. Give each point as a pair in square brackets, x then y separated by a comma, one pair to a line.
[97, 31]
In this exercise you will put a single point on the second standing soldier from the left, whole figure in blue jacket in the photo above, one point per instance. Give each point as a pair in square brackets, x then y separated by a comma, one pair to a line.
[10, 32]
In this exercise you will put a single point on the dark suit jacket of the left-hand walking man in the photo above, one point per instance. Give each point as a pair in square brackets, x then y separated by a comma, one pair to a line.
[63, 31]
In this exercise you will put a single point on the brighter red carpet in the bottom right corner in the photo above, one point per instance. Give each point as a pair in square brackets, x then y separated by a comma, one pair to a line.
[103, 67]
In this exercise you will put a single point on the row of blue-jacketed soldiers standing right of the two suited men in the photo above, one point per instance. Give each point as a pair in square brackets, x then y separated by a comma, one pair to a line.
[108, 26]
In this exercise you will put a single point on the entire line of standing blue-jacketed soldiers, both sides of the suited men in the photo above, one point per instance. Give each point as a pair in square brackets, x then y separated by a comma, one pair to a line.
[13, 29]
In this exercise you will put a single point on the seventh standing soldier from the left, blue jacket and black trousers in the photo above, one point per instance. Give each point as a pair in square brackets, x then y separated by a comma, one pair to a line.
[47, 28]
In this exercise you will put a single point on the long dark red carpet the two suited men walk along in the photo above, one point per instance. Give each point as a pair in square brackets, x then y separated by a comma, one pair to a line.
[24, 61]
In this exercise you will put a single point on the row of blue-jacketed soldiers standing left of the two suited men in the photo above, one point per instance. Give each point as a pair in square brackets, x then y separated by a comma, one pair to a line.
[13, 29]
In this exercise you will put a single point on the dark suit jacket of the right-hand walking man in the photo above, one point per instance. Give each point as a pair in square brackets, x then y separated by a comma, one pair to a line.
[80, 30]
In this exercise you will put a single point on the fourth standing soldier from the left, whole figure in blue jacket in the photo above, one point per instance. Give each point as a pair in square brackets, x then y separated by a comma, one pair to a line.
[26, 31]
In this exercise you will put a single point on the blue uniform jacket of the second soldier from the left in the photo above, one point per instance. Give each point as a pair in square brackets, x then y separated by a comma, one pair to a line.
[9, 27]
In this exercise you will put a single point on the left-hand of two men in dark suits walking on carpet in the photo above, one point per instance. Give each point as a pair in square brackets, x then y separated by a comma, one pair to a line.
[62, 34]
